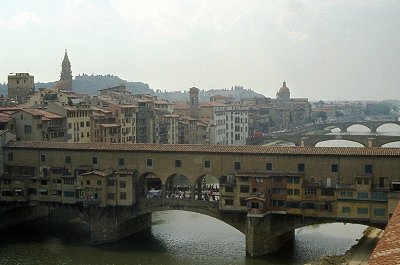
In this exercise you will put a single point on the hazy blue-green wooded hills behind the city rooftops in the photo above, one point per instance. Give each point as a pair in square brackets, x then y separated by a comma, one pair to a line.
[90, 84]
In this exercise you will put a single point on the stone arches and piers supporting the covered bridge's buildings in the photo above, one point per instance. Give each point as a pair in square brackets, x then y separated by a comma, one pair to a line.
[263, 235]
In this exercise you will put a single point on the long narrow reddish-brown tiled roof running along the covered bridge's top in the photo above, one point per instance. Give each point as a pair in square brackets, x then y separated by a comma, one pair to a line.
[247, 149]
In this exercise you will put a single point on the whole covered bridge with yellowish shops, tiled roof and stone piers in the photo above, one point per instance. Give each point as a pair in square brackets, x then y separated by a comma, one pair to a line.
[264, 192]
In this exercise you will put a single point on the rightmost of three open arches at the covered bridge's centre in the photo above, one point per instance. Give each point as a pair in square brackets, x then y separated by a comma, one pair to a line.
[207, 188]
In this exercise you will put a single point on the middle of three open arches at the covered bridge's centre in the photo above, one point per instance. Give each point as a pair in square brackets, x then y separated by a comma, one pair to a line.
[178, 186]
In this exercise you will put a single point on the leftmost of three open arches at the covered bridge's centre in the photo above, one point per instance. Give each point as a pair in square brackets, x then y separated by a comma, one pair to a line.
[149, 185]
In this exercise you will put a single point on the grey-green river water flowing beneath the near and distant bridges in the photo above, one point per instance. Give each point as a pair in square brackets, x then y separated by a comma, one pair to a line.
[176, 237]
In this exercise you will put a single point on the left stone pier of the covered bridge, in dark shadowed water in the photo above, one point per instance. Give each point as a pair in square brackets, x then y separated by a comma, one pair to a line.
[112, 224]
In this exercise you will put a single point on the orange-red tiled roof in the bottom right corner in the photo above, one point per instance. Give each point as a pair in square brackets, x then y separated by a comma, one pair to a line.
[387, 251]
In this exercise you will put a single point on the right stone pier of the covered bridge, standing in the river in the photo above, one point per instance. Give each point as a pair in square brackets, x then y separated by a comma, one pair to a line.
[262, 237]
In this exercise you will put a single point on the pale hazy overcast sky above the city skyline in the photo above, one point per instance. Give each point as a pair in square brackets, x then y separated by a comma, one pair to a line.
[331, 50]
